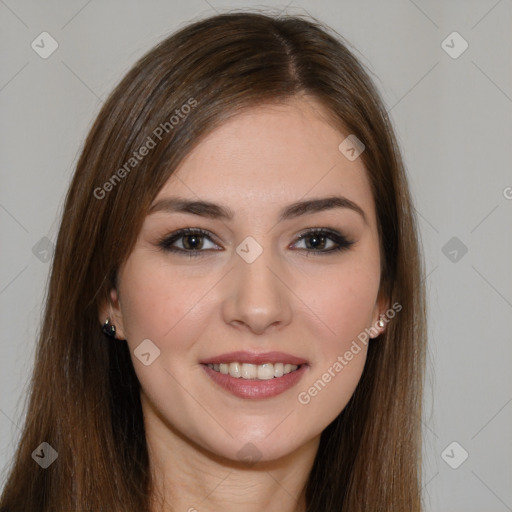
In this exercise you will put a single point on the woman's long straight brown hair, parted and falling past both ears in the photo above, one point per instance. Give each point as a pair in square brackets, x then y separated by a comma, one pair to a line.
[84, 398]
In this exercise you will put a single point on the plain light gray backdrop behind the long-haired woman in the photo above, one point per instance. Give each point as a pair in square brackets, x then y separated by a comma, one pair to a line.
[453, 120]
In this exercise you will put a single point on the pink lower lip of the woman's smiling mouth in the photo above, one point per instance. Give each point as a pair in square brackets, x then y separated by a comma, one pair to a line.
[256, 389]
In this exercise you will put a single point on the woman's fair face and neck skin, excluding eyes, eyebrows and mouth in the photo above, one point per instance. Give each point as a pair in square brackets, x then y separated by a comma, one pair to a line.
[303, 303]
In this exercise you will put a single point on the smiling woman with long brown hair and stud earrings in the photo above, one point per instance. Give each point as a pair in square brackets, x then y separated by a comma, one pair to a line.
[235, 314]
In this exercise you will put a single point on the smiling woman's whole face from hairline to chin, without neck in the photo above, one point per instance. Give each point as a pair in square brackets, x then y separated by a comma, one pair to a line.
[252, 291]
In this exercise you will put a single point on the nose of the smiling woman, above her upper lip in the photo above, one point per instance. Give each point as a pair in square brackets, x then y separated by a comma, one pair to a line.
[258, 297]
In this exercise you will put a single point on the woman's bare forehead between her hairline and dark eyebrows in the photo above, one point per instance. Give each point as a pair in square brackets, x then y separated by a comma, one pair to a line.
[268, 156]
